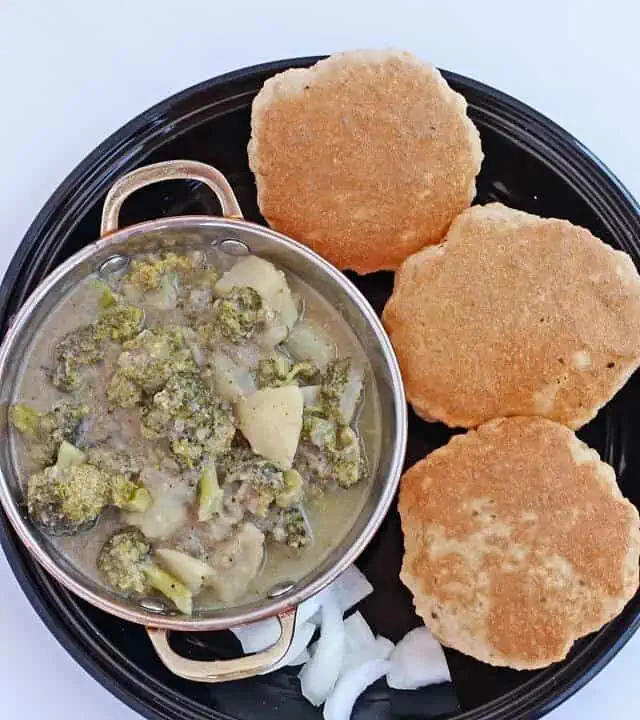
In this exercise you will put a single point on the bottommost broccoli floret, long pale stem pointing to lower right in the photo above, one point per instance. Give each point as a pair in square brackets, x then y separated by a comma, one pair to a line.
[126, 564]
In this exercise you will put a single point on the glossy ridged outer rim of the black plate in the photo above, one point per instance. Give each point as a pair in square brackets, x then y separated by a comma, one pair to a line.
[568, 151]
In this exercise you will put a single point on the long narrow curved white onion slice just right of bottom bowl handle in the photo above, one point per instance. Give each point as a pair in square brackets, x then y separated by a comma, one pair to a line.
[319, 675]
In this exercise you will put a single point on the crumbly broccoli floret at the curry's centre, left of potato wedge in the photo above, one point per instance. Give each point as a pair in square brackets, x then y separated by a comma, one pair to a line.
[196, 423]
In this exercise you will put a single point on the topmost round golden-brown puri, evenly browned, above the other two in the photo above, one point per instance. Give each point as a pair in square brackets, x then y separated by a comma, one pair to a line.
[365, 157]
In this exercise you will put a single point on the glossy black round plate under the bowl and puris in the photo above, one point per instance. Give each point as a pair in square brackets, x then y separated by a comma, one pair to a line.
[530, 164]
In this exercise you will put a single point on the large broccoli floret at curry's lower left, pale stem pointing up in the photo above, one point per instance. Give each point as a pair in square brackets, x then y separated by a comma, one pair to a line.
[69, 496]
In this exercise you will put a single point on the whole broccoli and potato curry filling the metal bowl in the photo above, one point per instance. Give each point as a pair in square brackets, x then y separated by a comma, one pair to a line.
[195, 428]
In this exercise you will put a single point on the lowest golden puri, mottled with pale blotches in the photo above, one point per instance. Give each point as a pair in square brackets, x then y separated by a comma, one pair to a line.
[517, 542]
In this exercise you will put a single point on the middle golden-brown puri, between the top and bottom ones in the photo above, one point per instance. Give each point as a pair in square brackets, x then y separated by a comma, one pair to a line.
[514, 315]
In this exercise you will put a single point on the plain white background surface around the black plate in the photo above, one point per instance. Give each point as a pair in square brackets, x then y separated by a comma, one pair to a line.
[73, 72]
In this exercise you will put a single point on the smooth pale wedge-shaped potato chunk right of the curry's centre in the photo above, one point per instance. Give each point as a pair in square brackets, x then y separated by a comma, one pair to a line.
[271, 420]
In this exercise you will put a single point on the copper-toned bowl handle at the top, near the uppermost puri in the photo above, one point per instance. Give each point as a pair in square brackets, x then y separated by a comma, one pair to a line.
[159, 172]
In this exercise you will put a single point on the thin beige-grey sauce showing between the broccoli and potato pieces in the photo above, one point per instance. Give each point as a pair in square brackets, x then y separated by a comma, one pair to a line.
[330, 516]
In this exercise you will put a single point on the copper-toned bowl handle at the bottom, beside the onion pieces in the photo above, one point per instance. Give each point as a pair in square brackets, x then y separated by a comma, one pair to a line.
[214, 671]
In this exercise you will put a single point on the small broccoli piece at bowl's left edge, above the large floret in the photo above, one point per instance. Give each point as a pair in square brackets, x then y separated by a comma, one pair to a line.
[45, 431]
